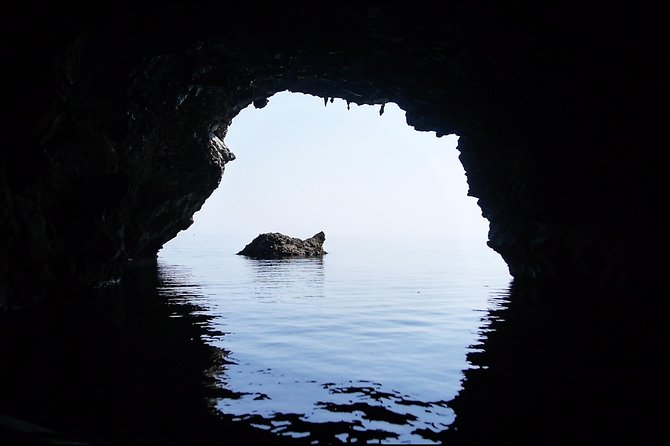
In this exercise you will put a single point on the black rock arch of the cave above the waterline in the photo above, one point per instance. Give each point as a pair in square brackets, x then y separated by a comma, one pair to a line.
[128, 111]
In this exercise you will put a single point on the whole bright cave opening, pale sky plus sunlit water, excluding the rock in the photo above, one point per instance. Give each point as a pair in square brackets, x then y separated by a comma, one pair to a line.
[368, 343]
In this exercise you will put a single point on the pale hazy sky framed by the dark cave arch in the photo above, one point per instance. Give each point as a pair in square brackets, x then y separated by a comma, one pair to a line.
[303, 167]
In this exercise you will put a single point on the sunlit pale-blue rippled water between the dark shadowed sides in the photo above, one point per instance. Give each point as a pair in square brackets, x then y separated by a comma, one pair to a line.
[367, 344]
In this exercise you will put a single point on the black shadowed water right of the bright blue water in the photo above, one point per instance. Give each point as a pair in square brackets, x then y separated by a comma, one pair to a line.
[568, 365]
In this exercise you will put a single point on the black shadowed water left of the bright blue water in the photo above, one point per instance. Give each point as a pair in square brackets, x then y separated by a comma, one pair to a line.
[115, 366]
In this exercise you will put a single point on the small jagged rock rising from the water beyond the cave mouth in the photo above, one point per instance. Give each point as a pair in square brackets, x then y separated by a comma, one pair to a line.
[273, 245]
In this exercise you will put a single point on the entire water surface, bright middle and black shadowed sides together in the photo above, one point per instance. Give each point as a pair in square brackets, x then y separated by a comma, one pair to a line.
[370, 344]
